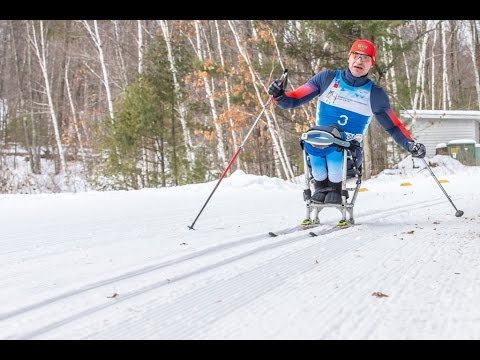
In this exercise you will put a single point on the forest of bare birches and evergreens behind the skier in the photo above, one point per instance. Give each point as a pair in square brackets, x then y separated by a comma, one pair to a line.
[155, 103]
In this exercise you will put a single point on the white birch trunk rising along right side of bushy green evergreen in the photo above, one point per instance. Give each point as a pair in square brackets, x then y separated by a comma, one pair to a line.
[180, 107]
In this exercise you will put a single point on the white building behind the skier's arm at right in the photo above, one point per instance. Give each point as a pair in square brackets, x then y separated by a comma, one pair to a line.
[432, 127]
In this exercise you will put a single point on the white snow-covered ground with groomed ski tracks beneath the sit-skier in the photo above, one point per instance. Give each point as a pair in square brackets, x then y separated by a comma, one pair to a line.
[124, 265]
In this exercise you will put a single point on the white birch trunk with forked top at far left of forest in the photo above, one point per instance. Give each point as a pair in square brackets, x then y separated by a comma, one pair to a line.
[40, 48]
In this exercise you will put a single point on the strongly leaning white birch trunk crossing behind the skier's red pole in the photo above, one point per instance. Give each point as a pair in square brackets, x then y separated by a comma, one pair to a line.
[278, 158]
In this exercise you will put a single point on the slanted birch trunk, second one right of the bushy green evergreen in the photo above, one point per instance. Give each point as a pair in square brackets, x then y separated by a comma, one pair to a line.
[206, 81]
